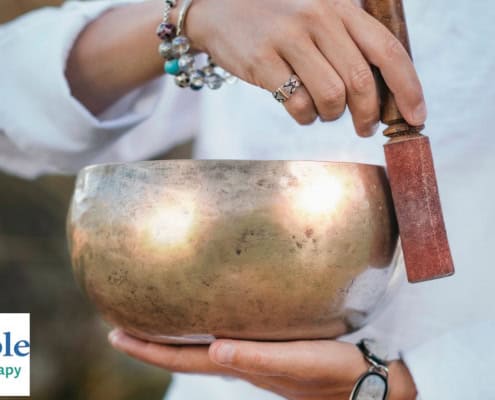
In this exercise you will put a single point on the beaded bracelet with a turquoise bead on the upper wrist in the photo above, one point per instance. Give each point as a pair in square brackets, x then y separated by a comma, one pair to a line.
[175, 49]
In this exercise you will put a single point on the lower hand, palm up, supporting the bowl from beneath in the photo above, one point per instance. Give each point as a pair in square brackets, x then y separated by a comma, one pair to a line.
[303, 370]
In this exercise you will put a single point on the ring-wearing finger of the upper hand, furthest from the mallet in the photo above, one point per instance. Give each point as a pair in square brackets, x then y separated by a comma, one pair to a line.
[271, 73]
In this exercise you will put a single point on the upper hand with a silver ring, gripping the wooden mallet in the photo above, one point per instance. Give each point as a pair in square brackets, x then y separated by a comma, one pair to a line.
[329, 44]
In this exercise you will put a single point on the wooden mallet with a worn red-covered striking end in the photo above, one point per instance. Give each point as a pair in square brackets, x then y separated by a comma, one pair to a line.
[411, 172]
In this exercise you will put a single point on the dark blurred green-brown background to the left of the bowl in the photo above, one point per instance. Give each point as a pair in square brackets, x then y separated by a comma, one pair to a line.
[70, 357]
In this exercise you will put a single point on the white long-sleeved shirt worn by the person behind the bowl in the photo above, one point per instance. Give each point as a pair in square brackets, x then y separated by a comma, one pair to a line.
[442, 328]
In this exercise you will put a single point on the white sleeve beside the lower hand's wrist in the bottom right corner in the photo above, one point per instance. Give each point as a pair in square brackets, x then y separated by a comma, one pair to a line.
[455, 366]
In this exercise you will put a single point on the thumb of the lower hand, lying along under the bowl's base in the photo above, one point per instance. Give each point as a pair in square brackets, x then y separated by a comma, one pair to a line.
[303, 360]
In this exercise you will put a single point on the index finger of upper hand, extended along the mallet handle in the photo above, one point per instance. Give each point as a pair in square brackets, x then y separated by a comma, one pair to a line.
[382, 49]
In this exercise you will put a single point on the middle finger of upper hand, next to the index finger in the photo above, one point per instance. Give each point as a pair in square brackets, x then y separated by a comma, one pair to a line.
[362, 95]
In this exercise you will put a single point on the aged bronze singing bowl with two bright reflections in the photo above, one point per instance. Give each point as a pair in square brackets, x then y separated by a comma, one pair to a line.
[186, 251]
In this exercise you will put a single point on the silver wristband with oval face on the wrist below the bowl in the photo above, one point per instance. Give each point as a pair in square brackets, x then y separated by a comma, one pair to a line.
[373, 384]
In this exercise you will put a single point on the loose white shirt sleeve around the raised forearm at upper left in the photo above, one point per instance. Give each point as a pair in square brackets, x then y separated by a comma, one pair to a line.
[43, 129]
